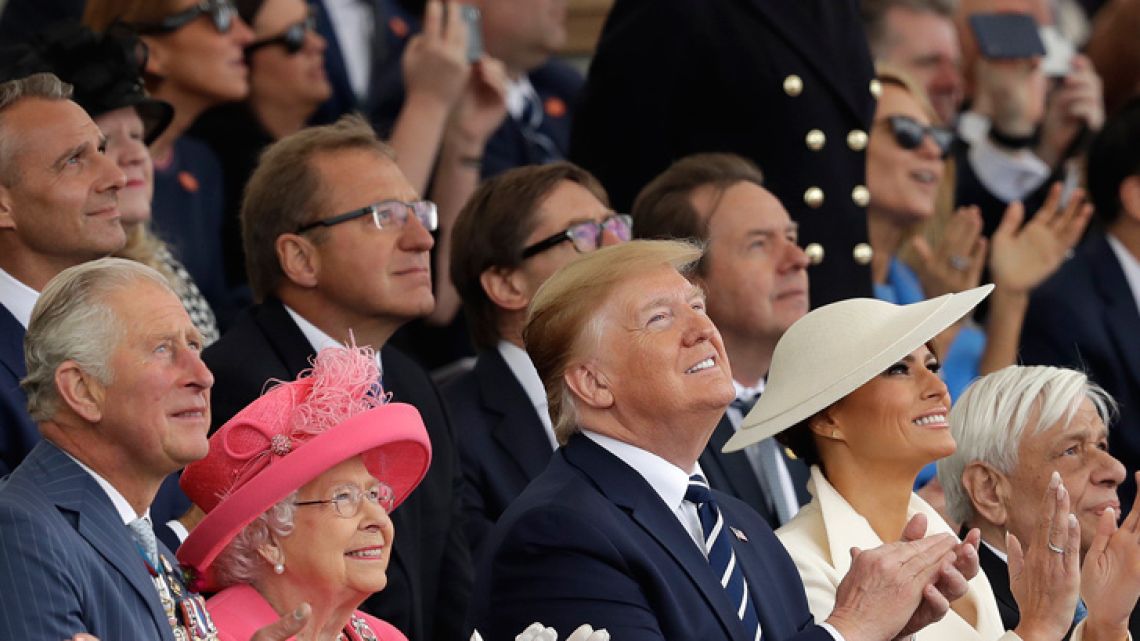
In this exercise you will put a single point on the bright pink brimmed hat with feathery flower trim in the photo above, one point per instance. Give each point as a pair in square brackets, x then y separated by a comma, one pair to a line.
[292, 435]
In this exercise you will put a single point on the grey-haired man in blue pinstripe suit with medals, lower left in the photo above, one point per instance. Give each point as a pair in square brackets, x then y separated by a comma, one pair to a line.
[123, 400]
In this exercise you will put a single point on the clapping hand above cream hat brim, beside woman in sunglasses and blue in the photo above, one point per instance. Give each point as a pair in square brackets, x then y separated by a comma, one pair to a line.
[956, 264]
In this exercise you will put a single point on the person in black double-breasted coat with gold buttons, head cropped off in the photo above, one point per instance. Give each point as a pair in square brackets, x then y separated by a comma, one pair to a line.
[786, 85]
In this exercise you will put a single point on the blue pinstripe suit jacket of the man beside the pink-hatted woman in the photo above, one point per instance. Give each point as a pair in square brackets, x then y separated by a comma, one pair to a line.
[68, 563]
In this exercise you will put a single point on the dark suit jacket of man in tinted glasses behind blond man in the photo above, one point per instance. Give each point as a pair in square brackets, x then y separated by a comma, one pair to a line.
[503, 444]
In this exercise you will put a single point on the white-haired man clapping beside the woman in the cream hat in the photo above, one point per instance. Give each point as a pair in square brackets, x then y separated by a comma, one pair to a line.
[1019, 431]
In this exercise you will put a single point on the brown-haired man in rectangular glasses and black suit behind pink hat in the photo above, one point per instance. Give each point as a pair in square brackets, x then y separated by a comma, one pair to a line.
[337, 242]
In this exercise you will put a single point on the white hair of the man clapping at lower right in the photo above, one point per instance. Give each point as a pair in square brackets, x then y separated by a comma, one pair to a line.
[992, 416]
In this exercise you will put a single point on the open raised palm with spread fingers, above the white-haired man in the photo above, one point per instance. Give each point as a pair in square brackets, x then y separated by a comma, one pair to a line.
[1023, 257]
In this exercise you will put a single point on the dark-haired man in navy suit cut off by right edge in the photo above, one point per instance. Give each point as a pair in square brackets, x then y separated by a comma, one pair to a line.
[1087, 317]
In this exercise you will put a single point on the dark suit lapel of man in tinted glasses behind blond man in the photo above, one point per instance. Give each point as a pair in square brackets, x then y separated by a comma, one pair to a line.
[519, 431]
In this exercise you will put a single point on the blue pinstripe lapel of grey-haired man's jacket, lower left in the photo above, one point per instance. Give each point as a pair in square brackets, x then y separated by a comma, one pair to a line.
[74, 491]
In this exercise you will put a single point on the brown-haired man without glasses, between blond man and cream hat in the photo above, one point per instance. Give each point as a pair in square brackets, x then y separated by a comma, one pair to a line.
[755, 277]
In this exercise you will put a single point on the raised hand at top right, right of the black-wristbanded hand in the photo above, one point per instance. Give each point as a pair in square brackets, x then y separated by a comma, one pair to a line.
[1077, 103]
